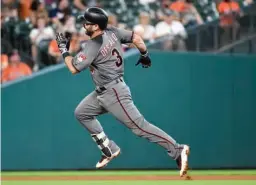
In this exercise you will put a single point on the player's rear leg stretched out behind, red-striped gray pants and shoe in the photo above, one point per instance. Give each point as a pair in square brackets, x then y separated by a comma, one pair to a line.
[122, 107]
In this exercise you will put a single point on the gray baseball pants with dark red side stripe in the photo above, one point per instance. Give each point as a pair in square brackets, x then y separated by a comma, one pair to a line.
[117, 100]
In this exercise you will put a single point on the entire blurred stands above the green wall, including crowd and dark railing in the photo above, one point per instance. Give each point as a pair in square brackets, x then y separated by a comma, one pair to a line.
[28, 27]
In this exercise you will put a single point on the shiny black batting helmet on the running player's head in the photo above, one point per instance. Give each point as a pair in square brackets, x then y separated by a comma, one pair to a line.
[95, 15]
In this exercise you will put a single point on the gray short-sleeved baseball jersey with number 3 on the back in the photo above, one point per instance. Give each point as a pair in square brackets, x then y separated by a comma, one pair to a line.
[104, 55]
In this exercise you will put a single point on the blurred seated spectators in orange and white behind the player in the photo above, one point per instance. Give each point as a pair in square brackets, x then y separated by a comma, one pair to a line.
[28, 27]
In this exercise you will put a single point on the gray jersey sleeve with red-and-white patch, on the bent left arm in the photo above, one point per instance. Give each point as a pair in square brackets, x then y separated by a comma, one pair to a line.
[85, 57]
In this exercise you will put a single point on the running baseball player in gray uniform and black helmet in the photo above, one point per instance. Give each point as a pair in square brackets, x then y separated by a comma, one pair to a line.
[103, 55]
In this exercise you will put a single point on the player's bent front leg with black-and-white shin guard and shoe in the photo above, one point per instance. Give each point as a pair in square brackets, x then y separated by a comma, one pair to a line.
[86, 113]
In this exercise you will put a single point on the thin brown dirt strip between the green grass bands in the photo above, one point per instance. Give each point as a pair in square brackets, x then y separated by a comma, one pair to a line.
[127, 178]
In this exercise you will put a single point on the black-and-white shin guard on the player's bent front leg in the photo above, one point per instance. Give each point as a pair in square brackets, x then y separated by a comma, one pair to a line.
[102, 141]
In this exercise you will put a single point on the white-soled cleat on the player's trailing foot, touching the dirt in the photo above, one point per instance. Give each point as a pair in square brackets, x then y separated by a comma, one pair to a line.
[183, 160]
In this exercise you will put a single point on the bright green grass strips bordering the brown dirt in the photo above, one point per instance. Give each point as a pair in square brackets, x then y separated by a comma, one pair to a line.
[106, 173]
